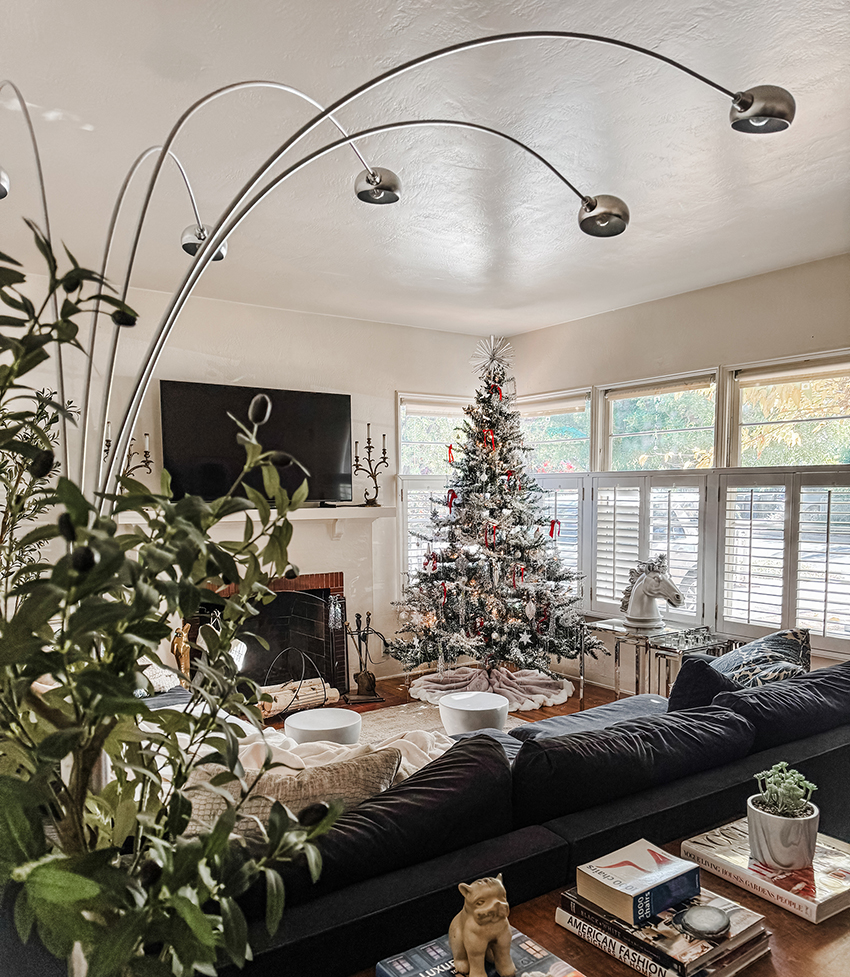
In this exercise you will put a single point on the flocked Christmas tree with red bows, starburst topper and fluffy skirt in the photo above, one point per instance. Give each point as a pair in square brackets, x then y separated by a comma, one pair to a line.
[492, 586]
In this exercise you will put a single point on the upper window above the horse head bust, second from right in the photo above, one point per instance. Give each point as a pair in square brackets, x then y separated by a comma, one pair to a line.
[662, 426]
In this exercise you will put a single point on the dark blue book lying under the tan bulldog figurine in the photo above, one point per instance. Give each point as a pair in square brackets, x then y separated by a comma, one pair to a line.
[434, 959]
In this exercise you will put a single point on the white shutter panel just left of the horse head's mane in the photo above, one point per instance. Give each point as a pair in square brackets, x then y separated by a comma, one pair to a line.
[618, 511]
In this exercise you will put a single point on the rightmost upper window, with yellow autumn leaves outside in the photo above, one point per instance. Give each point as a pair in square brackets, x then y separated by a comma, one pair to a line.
[793, 416]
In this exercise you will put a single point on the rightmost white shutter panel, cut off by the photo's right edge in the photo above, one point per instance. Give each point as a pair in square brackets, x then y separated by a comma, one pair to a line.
[823, 560]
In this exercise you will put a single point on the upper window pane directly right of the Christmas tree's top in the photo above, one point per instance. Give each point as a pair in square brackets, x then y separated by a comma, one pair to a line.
[557, 429]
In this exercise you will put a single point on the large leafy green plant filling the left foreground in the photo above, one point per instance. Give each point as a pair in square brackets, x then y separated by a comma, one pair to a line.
[102, 868]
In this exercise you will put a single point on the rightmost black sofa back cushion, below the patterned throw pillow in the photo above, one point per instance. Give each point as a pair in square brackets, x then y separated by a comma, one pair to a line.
[798, 707]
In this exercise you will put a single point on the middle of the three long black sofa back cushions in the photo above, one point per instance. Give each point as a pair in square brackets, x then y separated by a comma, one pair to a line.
[564, 774]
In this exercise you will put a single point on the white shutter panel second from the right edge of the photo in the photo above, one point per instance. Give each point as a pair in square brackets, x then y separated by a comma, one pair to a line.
[754, 547]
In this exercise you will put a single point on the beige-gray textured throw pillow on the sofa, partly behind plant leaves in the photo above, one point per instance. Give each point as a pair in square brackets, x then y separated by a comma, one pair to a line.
[350, 781]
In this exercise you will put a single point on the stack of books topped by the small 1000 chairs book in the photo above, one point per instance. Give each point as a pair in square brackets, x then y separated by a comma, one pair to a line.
[634, 904]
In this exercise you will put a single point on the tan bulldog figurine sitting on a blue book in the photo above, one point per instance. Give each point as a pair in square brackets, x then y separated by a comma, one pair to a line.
[481, 931]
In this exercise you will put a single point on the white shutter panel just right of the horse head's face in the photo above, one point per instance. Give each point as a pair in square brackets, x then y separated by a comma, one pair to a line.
[675, 528]
